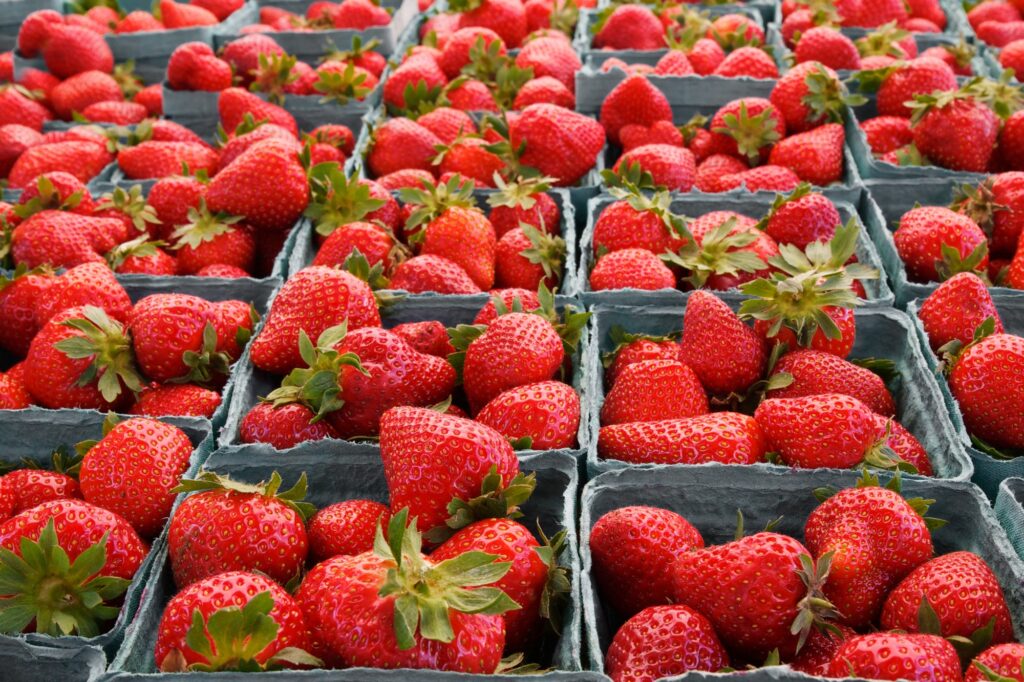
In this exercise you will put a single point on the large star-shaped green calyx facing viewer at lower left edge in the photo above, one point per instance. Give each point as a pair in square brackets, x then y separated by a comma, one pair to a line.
[63, 598]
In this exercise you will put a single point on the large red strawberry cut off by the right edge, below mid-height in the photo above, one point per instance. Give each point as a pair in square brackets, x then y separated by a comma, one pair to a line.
[986, 382]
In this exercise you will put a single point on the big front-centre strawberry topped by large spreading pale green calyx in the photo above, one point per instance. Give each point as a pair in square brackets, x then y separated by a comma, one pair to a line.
[344, 595]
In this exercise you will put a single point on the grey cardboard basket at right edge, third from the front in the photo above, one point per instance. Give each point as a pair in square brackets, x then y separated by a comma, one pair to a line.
[884, 205]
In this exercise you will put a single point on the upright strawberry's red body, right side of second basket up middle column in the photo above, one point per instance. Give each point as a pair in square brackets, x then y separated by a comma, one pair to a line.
[518, 349]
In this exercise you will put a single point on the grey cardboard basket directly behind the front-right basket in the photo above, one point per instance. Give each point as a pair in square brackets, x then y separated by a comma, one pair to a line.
[882, 333]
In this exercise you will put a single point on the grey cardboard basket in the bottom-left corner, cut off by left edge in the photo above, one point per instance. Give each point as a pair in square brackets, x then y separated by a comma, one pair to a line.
[35, 435]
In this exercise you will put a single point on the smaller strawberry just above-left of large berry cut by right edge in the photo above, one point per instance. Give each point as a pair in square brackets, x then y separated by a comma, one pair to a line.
[956, 310]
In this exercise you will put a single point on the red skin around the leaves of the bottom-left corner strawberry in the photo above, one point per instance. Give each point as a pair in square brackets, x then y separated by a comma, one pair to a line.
[79, 526]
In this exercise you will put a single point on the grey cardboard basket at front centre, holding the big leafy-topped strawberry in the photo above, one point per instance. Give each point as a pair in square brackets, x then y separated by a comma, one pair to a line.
[335, 476]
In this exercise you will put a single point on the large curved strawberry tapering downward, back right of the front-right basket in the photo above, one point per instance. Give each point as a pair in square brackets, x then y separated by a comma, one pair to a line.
[877, 538]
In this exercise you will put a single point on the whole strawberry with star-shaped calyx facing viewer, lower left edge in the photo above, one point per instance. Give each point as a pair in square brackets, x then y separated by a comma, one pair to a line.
[81, 557]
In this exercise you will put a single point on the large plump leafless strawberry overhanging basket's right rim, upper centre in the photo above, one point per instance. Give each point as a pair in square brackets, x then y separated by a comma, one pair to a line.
[560, 144]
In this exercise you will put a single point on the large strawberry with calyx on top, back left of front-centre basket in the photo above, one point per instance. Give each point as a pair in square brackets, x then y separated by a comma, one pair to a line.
[231, 526]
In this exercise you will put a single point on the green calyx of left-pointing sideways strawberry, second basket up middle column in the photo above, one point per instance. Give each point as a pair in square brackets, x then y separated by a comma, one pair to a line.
[319, 386]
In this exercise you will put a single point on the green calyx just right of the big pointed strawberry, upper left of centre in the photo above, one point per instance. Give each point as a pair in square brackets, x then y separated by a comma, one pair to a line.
[338, 199]
